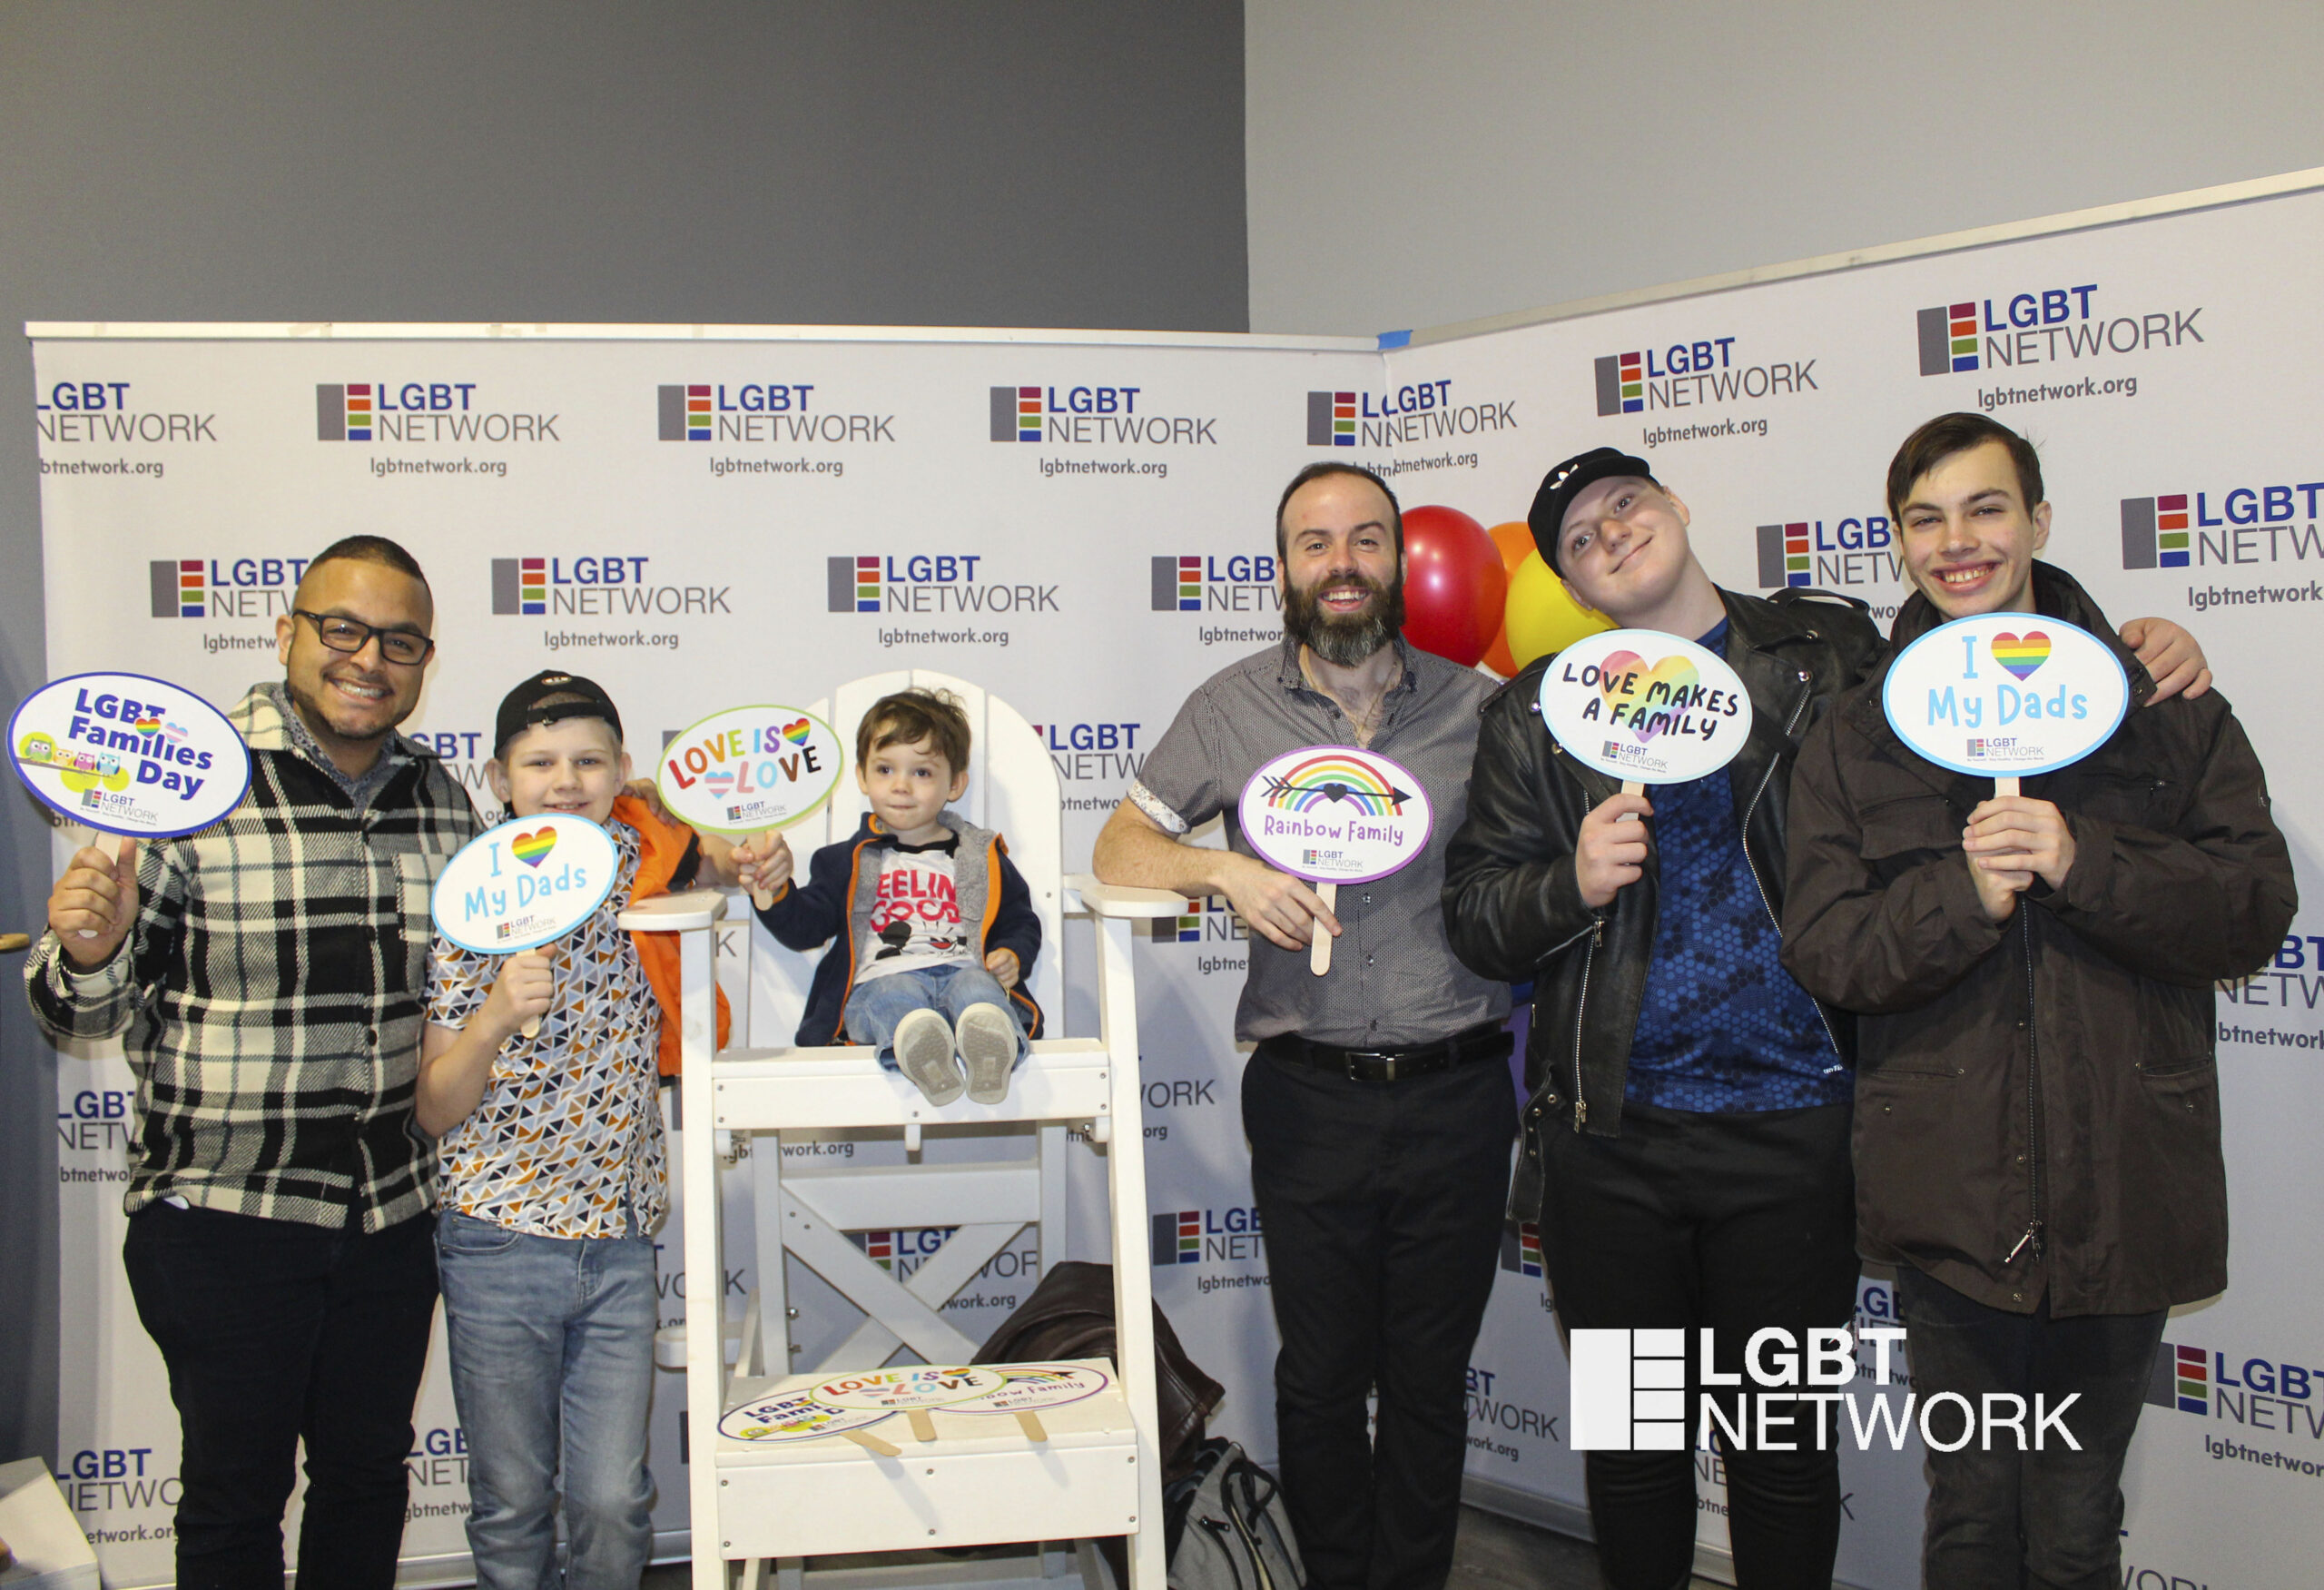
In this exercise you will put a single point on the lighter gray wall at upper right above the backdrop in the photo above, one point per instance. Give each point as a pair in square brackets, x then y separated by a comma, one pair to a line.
[1428, 164]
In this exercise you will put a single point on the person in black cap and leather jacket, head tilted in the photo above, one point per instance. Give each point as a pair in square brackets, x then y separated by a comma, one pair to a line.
[1702, 1173]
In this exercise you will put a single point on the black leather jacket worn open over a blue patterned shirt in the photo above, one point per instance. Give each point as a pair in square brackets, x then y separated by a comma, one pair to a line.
[1514, 908]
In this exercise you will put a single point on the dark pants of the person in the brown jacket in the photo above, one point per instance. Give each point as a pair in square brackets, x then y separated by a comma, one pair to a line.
[2044, 1519]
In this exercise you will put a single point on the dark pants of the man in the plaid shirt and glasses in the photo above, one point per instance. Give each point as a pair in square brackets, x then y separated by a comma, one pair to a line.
[280, 1333]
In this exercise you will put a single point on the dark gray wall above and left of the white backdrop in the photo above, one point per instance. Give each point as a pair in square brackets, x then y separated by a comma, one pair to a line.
[1007, 164]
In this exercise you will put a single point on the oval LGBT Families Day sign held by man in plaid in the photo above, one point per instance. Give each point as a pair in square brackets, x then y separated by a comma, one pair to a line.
[129, 757]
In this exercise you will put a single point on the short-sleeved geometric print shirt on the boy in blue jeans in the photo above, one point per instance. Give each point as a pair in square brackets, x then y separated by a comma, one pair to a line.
[568, 1138]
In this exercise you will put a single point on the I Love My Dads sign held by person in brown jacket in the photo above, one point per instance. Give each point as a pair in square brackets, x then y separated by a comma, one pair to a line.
[2007, 696]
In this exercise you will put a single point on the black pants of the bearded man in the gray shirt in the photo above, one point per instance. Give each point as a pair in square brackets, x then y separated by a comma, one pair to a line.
[1382, 1208]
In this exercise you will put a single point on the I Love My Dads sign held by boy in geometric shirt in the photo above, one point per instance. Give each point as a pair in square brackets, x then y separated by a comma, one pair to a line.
[524, 884]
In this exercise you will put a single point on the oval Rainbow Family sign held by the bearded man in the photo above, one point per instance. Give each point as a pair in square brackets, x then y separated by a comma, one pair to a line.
[1335, 815]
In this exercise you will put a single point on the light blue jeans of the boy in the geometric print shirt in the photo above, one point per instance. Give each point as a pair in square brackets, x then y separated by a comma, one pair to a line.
[552, 1363]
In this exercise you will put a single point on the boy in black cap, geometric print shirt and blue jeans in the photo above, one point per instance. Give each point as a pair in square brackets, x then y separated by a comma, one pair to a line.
[552, 1168]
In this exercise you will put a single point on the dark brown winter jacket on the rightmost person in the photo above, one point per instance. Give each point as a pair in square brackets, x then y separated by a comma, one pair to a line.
[2037, 1098]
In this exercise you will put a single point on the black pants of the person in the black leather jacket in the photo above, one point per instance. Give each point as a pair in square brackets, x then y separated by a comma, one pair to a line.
[1735, 1224]
